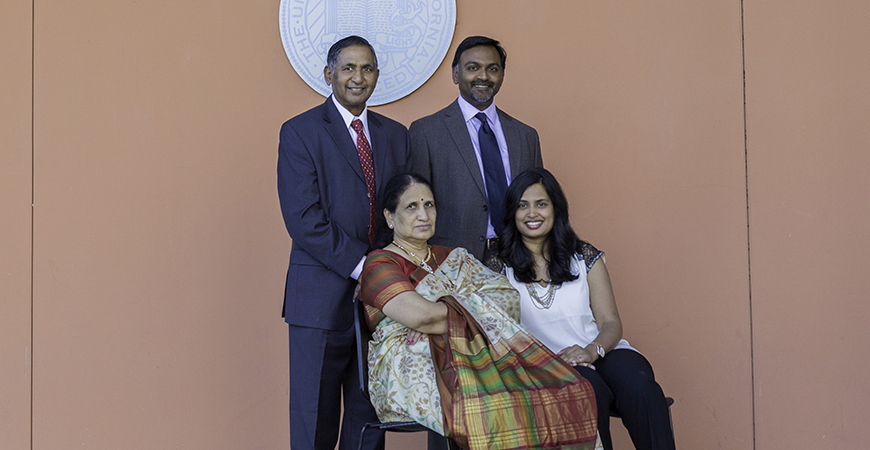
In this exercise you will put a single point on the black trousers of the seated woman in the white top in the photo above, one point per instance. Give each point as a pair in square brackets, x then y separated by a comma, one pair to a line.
[624, 382]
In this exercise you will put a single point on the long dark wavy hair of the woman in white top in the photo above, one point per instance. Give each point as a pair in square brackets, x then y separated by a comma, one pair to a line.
[560, 245]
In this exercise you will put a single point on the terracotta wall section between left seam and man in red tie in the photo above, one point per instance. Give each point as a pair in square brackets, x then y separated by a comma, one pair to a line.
[158, 246]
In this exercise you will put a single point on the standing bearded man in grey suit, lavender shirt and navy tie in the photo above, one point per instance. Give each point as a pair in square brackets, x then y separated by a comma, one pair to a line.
[470, 151]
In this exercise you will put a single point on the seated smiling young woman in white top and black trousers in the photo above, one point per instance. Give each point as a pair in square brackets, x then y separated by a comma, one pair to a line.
[567, 302]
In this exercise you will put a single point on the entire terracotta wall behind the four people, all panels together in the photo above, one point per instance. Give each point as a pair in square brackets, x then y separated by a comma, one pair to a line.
[158, 251]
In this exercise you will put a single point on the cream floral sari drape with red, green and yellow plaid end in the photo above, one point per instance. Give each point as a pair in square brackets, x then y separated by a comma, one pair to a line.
[496, 386]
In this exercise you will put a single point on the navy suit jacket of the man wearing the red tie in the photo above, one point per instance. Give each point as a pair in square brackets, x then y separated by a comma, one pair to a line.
[325, 206]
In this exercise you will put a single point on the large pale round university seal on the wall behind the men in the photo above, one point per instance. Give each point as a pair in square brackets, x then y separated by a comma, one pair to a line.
[410, 37]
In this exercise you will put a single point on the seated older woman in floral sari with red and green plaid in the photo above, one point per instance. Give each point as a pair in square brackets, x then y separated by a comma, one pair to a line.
[447, 350]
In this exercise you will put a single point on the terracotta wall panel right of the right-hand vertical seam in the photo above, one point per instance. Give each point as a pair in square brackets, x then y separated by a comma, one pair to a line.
[807, 110]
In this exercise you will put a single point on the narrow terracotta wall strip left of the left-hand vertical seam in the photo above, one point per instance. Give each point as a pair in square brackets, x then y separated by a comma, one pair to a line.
[15, 223]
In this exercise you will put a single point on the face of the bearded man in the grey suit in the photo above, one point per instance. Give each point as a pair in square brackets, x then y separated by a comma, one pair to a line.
[479, 75]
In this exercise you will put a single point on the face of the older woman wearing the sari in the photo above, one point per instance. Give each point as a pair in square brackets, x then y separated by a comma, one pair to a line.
[414, 220]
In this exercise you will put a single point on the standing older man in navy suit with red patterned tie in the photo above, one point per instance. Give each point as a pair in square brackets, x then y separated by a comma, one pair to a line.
[332, 160]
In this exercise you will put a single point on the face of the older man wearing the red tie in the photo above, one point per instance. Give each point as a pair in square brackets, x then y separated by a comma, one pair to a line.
[354, 77]
